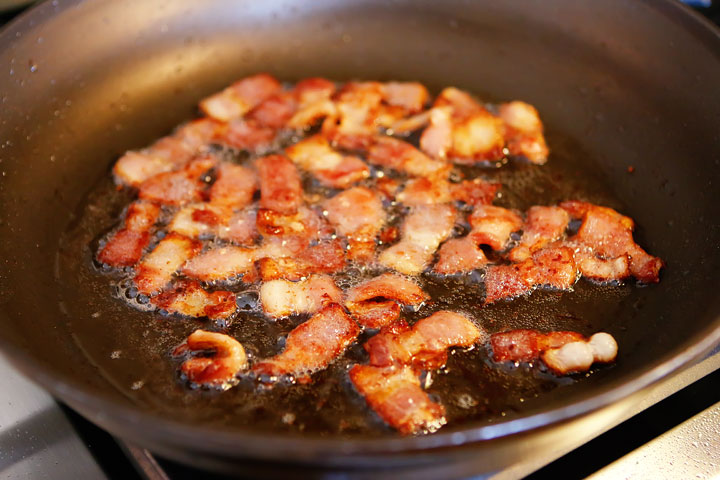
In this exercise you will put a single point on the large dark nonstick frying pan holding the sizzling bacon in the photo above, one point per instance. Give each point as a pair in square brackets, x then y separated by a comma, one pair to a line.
[629, 83]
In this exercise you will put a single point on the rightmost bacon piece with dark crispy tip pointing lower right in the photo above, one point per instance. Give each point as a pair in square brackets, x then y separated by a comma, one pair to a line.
[609, 235]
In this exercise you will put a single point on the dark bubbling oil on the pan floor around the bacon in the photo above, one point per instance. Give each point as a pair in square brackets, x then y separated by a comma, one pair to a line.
[130, 345]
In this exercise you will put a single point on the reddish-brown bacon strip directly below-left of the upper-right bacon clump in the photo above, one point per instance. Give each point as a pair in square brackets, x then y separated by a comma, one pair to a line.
[401, 156]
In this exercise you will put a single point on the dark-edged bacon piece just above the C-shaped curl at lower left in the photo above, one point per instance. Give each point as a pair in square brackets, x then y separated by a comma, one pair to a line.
[190, 299]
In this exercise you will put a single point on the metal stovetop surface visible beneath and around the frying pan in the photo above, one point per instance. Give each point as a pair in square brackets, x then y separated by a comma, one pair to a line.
[673, 433]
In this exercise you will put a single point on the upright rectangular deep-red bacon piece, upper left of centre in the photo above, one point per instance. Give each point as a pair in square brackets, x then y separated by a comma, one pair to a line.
[280, 186]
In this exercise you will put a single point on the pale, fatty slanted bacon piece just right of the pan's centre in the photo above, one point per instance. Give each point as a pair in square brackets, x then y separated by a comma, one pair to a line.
[422, 232]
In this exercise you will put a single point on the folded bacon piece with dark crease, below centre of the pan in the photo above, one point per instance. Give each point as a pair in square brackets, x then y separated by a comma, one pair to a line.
[375, 303]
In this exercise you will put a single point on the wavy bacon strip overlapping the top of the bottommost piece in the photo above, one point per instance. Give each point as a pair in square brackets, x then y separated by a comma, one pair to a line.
[426, 344]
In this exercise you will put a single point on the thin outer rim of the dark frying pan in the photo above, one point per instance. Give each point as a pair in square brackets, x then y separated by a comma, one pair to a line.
[179, 433]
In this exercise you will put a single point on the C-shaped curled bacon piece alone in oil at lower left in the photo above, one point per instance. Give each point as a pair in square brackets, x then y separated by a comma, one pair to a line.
[218, 371]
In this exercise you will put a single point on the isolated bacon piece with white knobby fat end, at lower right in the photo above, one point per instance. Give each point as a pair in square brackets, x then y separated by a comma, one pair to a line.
[562, 352]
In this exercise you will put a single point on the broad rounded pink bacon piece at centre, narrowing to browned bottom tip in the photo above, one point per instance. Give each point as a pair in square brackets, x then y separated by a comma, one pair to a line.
[357, 214]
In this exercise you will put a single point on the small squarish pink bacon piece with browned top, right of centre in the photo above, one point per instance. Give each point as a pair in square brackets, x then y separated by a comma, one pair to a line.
[492, 225]
